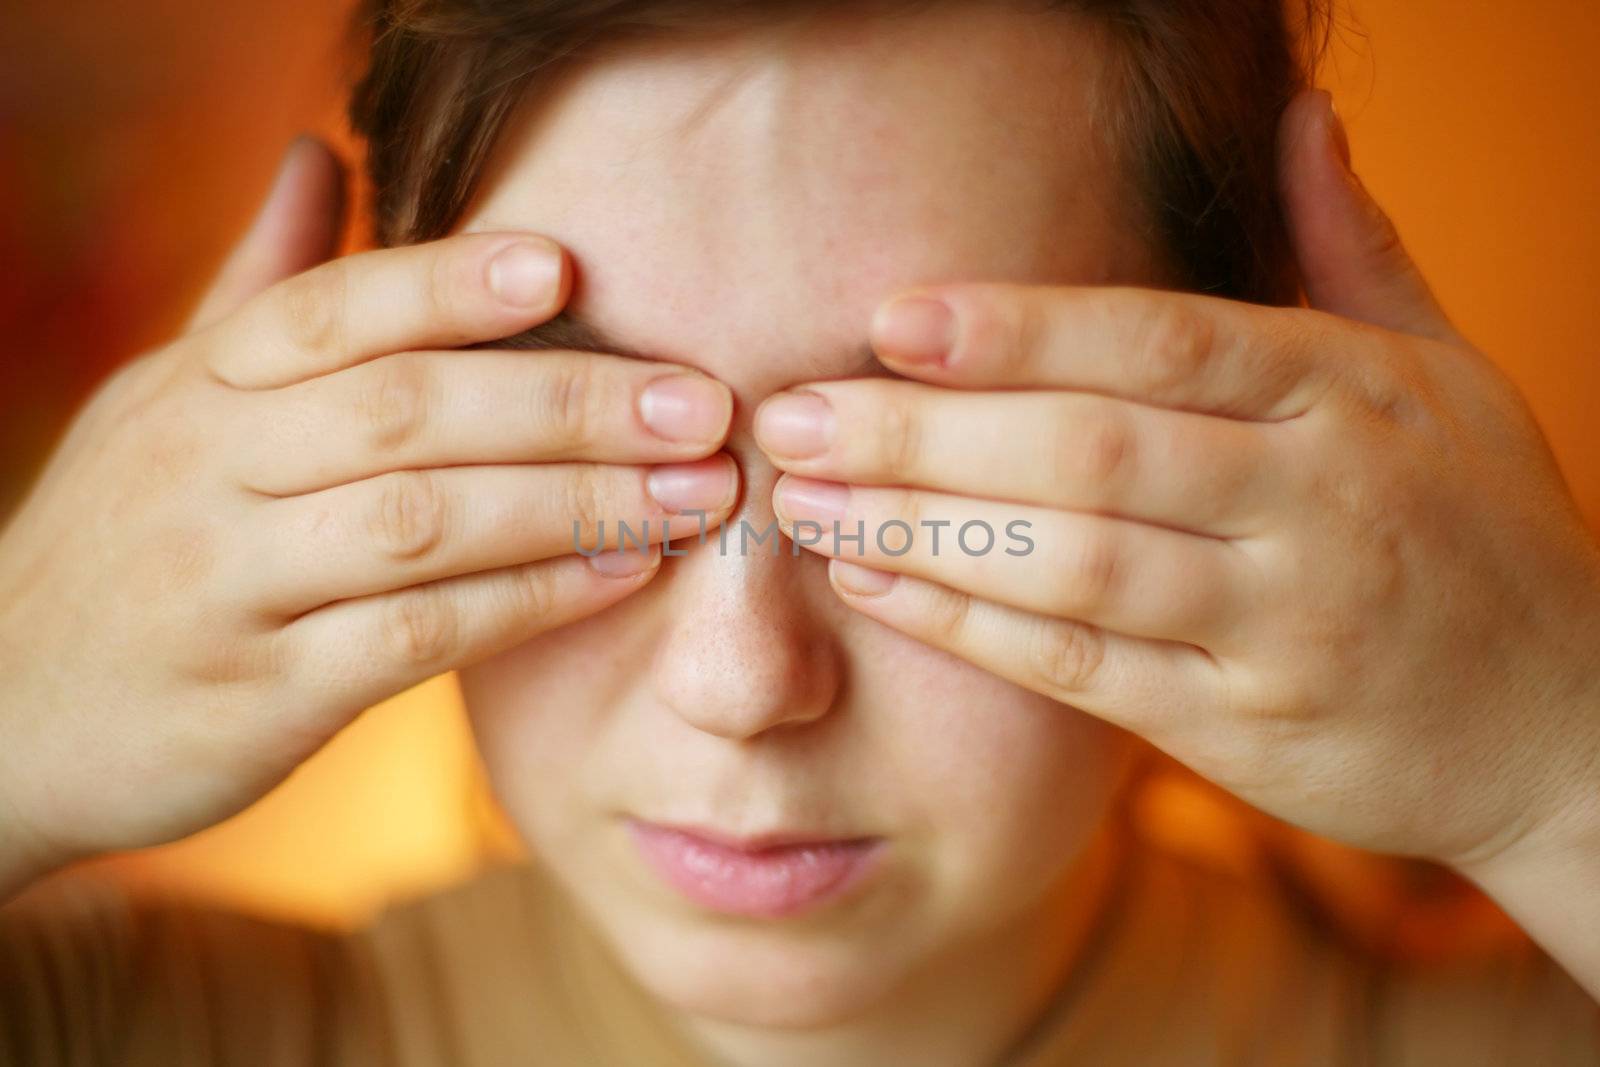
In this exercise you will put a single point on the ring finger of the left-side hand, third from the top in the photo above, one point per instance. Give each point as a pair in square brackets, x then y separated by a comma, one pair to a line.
[415, 527]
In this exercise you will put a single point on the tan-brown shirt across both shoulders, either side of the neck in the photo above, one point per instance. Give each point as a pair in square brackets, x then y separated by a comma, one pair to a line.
[1186, 965]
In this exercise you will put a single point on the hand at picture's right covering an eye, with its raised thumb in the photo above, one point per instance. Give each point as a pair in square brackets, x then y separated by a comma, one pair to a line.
[1322, 556]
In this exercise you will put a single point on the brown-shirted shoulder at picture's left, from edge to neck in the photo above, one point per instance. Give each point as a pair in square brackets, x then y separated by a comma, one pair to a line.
[492, 972]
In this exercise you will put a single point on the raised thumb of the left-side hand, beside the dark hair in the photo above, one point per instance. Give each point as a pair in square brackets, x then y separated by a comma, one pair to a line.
[295, 230]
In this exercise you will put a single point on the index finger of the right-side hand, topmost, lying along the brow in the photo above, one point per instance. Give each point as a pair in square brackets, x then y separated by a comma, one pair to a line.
[1167, 350]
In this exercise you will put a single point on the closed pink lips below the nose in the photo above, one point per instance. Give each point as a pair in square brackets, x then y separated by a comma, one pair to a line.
[764, 884]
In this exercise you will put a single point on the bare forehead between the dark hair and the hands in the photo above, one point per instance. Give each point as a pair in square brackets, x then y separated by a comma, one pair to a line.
[742, 202]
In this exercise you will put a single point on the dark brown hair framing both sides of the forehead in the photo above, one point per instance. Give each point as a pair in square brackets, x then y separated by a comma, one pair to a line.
[1194, 103]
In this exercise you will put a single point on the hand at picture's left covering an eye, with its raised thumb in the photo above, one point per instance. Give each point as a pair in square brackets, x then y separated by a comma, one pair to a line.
[308, 505]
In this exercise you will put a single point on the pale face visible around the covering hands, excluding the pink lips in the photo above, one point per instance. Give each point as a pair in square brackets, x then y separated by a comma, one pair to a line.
[742, 206]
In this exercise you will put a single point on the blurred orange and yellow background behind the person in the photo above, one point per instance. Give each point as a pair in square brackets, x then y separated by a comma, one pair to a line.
[138, 138]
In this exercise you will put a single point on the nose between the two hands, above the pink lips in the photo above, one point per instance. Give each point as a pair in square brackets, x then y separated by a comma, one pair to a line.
[748, 647]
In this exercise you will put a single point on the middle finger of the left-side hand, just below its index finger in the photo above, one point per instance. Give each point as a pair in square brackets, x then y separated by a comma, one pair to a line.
[450, 409]
